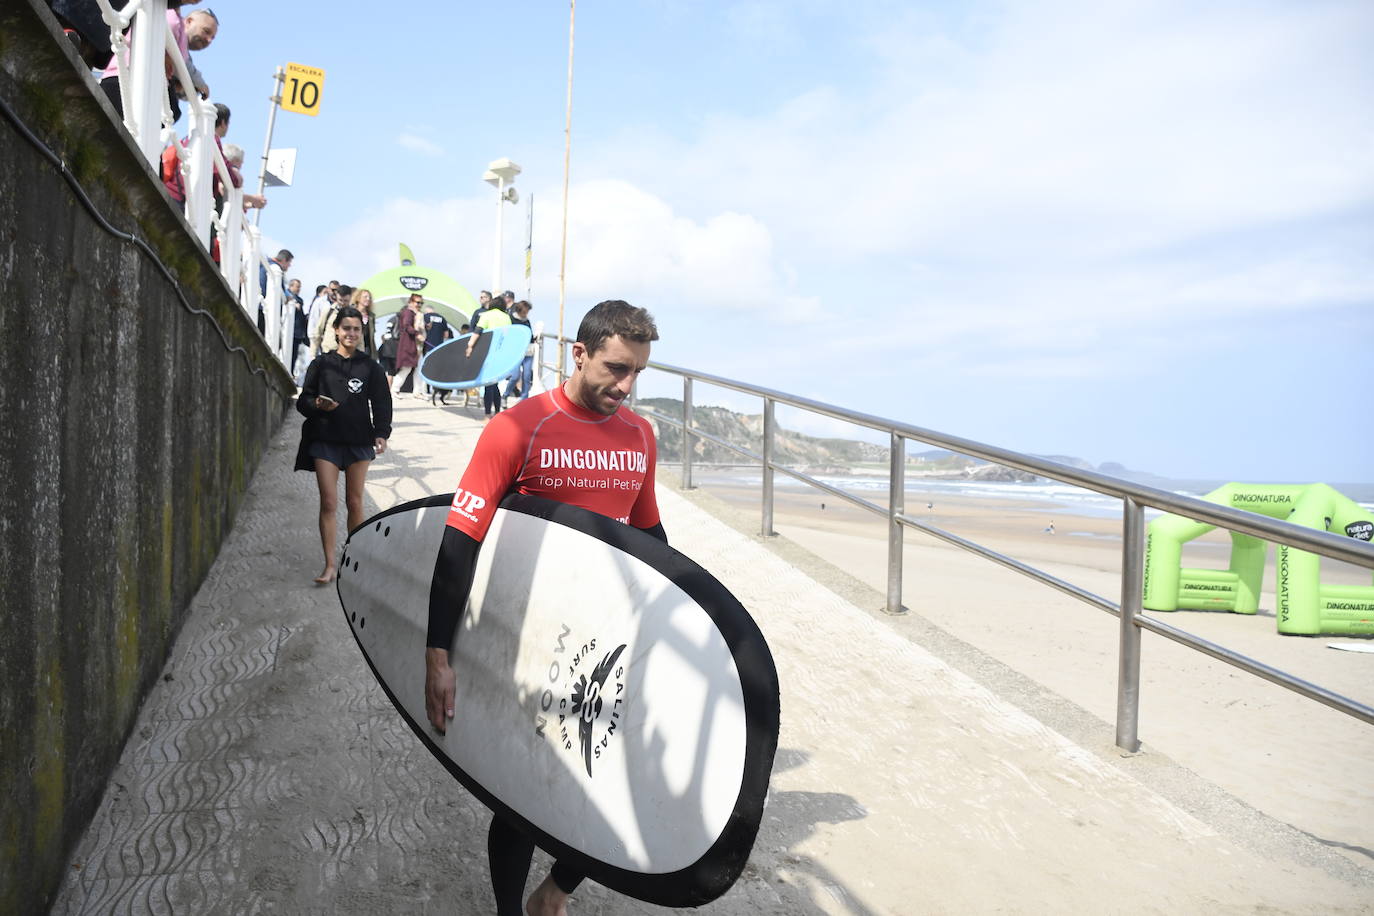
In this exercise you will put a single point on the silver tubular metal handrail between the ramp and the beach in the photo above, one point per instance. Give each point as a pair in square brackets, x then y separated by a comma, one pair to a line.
[1134, 496]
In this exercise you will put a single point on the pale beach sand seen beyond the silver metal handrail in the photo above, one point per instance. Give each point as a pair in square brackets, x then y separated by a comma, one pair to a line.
[1292, 759]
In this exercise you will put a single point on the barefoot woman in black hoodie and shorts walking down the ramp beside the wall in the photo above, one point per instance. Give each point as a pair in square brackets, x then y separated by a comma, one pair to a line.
[347, 404]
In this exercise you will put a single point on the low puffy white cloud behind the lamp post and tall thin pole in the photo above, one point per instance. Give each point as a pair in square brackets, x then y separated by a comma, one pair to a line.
[623, 244]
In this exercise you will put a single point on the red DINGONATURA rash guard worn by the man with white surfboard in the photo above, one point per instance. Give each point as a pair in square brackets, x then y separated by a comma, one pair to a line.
[553, 448]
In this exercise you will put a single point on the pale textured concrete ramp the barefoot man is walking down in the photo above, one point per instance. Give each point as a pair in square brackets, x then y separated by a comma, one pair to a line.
[269, 774]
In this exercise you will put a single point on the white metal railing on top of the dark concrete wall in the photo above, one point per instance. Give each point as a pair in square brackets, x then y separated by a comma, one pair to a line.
[148, 116]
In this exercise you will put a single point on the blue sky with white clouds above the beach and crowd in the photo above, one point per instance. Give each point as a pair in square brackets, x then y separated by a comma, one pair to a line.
[1136, 233]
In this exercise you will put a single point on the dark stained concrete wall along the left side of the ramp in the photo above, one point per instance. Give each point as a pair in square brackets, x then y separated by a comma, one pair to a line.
[128, 436]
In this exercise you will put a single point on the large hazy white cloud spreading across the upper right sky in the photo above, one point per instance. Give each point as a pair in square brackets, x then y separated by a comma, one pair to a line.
[1060, 160]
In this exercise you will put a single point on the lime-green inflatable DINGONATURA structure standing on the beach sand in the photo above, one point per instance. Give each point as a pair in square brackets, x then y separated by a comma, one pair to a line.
[1305, 605]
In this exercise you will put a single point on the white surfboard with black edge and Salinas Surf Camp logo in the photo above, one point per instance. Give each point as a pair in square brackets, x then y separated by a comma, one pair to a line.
[613, 698]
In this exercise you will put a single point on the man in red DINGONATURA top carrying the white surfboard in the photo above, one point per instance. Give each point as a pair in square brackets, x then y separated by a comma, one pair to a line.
[572, 444]
